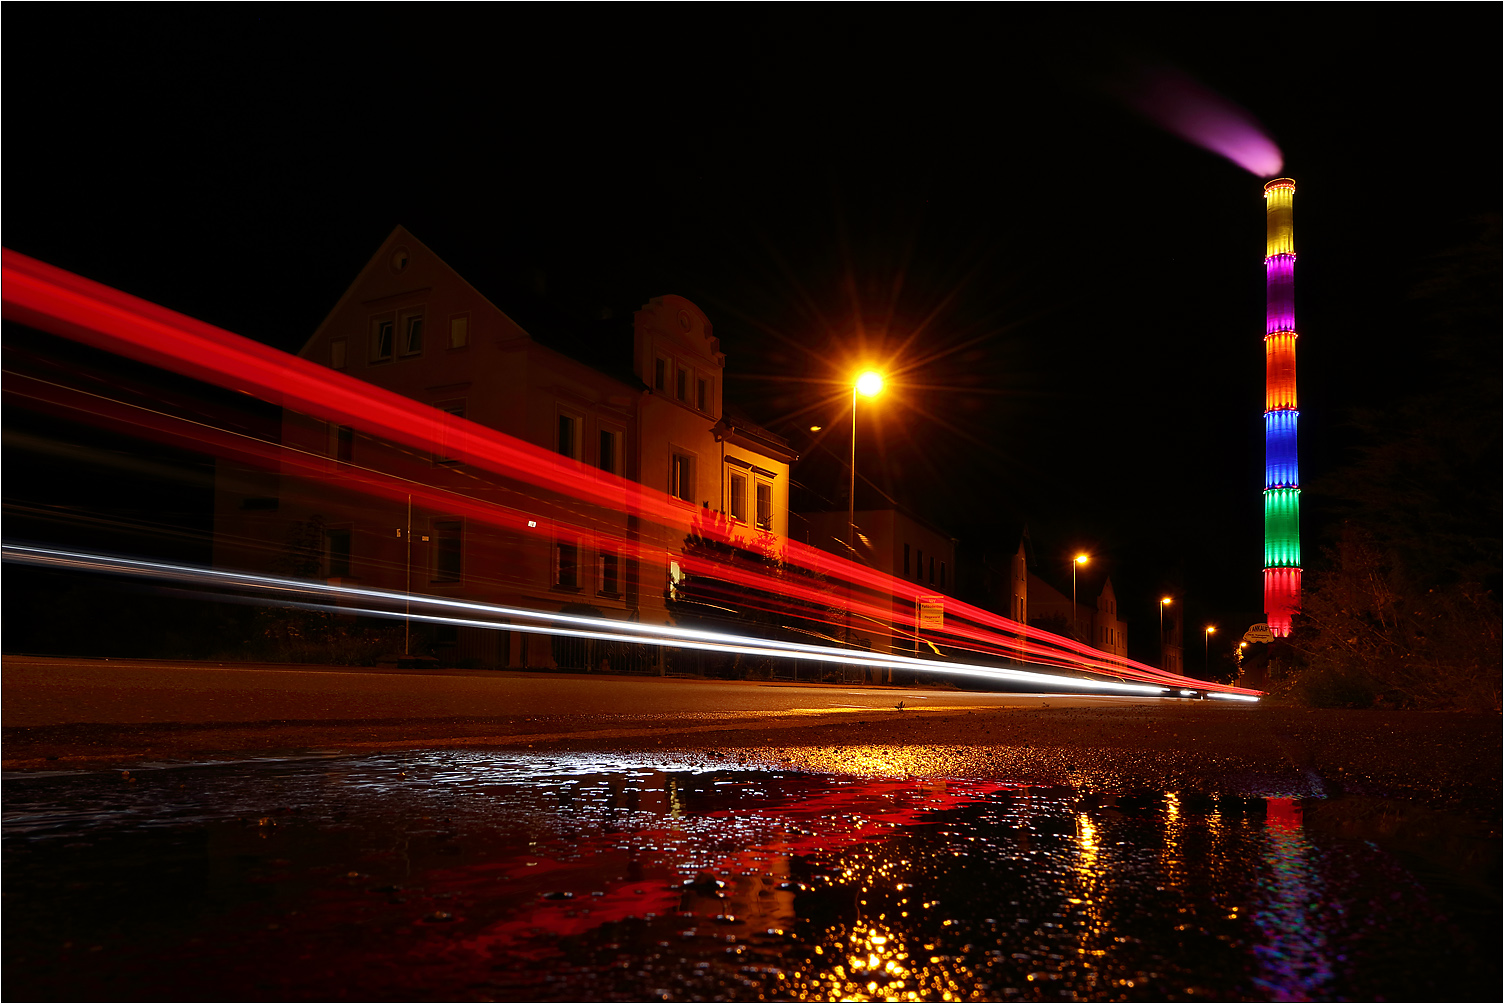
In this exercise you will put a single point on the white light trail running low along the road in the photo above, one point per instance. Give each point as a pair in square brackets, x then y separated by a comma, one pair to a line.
[444, 611]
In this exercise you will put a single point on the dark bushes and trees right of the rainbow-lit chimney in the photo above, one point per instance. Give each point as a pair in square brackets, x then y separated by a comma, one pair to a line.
[1404, 608]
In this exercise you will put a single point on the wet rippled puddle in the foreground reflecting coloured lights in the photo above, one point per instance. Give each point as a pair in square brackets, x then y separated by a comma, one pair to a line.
[481, 877]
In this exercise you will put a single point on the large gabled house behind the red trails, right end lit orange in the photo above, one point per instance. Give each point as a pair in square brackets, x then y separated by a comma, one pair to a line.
[643, 407]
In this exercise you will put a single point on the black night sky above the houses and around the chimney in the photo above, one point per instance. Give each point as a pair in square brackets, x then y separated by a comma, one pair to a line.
[1069, 298]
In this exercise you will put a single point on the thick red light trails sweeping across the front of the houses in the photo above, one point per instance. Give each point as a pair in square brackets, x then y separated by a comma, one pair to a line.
[64, 304]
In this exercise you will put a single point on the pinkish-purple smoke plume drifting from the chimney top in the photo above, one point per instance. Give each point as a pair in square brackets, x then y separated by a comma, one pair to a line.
[1193, 112]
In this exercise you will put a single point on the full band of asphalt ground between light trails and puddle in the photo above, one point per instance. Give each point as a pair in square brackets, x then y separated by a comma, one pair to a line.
[70, 715]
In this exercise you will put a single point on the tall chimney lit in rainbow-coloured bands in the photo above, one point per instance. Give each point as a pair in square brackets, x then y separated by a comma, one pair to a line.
[1282, 476]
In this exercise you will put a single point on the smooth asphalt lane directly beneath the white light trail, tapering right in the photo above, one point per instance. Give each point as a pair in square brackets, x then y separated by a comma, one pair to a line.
[49, 692]
